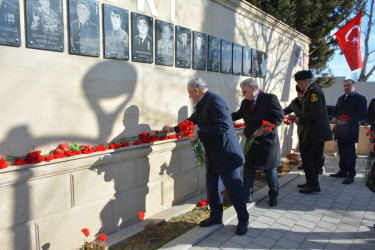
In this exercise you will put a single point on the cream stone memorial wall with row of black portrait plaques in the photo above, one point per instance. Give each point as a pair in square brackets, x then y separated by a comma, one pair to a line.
[88, 72]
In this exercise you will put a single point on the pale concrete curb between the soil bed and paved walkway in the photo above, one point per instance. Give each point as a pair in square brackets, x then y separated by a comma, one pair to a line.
[197, 234]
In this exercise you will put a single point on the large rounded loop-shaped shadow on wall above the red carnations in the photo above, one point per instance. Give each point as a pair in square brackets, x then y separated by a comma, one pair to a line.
[105, 81]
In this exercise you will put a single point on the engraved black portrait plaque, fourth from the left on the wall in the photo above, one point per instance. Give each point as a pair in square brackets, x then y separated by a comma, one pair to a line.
[116, 32]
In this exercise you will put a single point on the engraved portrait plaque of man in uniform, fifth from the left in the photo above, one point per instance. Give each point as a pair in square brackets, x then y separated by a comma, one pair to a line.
[142, 38]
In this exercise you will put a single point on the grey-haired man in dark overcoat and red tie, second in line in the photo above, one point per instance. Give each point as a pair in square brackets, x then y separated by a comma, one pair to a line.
[265, 154]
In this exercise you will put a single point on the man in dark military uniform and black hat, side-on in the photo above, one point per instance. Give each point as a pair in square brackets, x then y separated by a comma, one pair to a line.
[316, 130]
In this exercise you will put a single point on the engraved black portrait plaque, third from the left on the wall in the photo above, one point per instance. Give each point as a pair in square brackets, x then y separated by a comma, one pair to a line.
[84, 27]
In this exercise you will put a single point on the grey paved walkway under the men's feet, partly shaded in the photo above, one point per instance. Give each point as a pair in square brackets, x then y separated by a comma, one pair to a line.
[340, 217]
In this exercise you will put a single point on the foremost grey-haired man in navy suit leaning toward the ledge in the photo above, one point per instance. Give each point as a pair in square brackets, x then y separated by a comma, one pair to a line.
[223, 152]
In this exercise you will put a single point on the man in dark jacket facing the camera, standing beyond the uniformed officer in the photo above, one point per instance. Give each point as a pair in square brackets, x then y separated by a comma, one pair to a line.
[350, 110]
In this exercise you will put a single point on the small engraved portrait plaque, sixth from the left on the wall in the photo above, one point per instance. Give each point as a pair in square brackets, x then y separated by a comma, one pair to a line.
[164, 43]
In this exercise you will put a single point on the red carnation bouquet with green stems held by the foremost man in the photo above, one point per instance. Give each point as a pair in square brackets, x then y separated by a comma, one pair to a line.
[186, 128]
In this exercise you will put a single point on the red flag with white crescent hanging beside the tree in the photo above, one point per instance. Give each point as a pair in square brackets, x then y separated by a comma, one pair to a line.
[349, 38]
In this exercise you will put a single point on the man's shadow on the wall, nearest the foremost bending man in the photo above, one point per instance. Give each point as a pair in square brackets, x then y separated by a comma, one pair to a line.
[130, 178]
